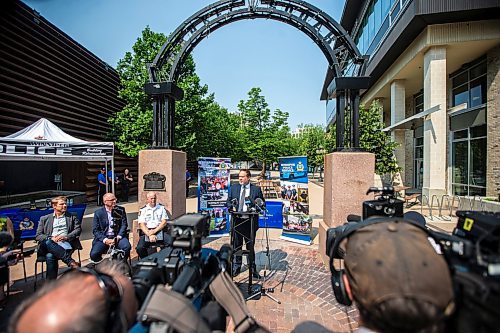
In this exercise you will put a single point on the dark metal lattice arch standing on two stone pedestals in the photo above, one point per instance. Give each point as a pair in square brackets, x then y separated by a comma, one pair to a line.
[317, 25]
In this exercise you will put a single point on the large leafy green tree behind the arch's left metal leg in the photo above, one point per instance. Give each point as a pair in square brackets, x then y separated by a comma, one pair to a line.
[203, 128]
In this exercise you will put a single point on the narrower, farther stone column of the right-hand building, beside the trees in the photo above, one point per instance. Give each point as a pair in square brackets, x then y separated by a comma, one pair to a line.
[398, 114]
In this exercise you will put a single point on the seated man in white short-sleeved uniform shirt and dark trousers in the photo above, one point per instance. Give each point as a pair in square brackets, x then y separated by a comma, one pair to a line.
[153, 223]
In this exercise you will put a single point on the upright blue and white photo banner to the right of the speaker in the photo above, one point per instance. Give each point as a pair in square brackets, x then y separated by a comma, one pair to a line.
[297, 224]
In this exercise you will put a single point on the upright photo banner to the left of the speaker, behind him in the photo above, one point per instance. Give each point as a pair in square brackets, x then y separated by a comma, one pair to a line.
[213, 190]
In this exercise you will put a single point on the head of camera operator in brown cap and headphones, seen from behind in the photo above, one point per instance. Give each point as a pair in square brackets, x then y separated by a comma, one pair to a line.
[393, 274]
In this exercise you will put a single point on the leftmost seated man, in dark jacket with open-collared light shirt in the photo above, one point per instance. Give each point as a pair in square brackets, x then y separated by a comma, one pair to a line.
[58, 236]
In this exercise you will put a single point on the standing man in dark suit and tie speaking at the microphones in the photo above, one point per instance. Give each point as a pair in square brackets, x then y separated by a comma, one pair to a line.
[242, 198]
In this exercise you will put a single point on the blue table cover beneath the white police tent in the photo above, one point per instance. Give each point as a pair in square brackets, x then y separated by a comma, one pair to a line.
[27, 220]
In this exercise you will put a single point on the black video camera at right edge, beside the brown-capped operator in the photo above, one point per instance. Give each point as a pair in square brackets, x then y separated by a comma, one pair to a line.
[473, 254]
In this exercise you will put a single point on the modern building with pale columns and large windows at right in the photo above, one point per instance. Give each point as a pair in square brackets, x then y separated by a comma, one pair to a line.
[435, 68]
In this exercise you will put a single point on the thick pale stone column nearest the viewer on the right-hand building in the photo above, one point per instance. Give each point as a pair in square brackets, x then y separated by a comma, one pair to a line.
[435, 131]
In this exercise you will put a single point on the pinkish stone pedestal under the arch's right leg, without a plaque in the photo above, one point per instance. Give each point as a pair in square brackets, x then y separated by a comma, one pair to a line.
[348, 175]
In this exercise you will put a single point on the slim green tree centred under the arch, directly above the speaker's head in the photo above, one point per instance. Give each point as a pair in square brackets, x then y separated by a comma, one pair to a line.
[264, 133]
